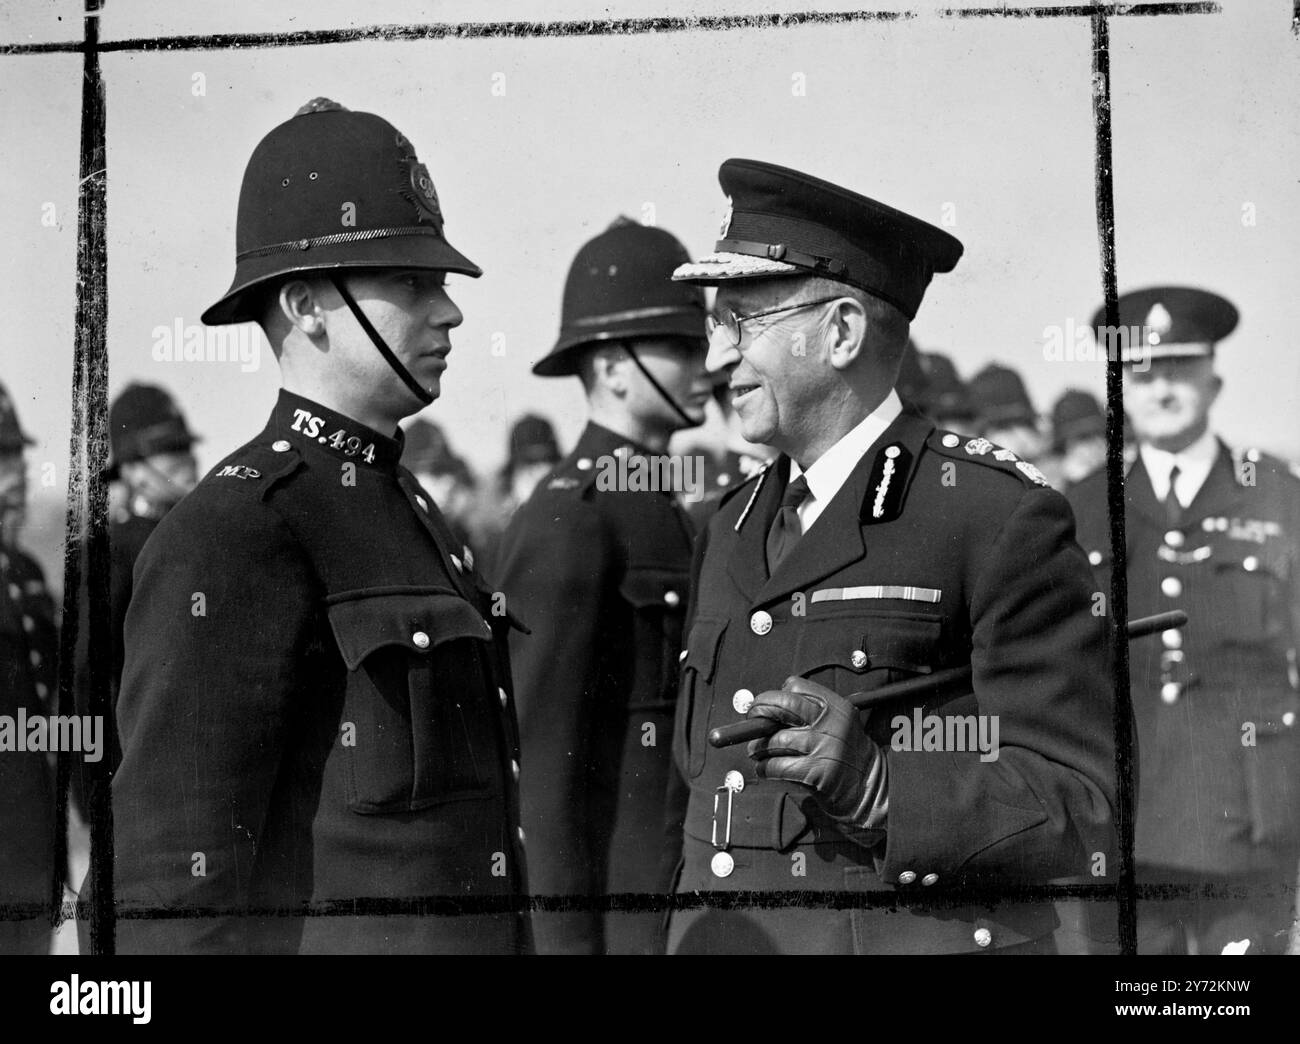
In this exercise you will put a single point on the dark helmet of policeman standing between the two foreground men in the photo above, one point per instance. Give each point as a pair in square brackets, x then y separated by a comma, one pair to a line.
[621, 288]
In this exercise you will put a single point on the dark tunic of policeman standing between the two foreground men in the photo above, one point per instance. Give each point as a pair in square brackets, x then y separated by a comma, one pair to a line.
[601, 577]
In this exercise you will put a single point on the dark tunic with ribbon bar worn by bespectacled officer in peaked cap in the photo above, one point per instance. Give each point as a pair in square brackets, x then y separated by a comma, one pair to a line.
[938, 552]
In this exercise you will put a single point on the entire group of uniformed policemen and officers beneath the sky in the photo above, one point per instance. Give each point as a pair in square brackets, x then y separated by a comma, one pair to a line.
[344, 669]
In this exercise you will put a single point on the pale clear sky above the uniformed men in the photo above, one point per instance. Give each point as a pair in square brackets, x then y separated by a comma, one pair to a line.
[986, 124]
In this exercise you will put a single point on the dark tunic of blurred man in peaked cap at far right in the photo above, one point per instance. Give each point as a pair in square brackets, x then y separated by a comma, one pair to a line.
[1216, 704]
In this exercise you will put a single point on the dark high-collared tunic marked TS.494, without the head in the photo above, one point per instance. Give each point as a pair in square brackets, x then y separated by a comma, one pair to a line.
[317, 708]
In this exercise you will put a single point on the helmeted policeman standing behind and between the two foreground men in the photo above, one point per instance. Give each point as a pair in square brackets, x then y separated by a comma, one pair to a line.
[599, 564]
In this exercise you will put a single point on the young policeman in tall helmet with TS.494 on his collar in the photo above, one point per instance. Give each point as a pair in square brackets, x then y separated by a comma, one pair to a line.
[317, 713]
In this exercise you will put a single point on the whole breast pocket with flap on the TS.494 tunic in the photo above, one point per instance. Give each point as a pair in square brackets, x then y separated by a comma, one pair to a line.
[418, 727]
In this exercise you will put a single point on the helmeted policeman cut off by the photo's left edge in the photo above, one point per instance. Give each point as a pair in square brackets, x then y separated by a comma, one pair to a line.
[28, 683]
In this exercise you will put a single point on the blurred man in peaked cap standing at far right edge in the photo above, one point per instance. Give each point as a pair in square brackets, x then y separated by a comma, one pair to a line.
[1214, 530]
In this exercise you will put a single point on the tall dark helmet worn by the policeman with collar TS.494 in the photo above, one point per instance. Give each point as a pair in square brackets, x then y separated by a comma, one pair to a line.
[333, 189]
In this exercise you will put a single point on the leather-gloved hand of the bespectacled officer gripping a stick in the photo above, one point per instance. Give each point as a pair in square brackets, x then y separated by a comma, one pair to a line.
[825, 747]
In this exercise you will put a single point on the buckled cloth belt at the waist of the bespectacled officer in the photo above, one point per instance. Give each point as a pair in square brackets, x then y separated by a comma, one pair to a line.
[762, 816]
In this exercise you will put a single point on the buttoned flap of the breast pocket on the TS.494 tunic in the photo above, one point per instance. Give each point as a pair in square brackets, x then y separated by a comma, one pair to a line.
[363, 623]
